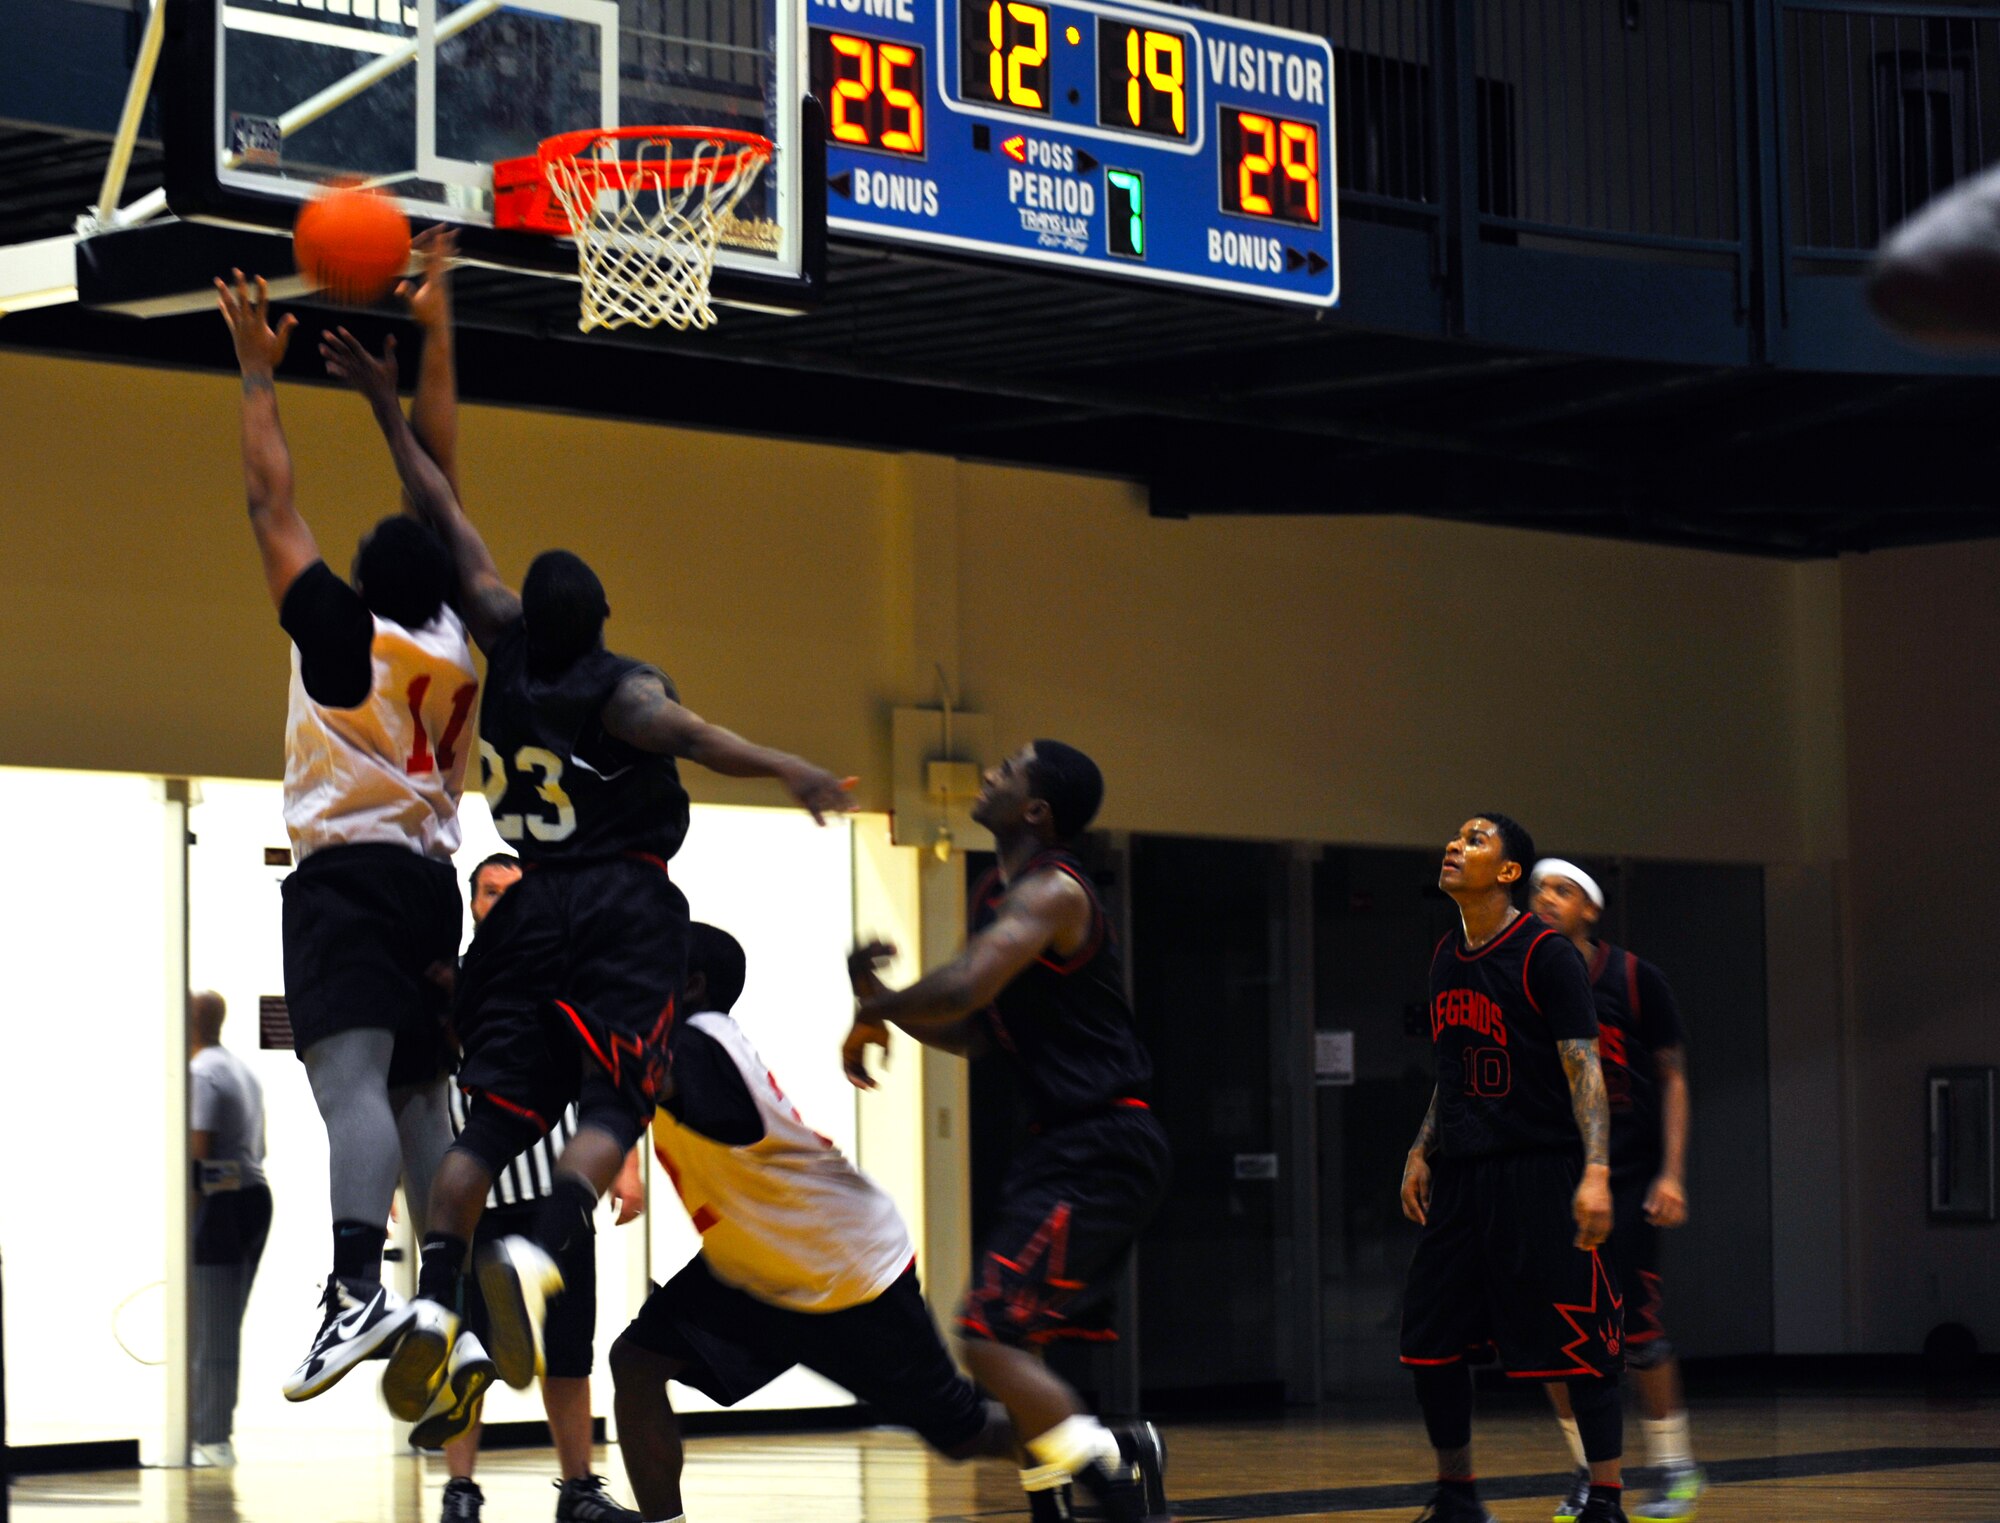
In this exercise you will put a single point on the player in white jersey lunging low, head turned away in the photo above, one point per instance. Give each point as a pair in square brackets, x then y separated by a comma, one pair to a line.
[805, 1260]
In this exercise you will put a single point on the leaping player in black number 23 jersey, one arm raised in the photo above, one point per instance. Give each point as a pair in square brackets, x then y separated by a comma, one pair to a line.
[571, 984]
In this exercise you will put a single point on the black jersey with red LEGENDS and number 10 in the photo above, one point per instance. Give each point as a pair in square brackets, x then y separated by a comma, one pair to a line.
[1497, 1016]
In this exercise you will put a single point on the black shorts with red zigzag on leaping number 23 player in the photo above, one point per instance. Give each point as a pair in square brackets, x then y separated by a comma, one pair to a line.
[569, 994]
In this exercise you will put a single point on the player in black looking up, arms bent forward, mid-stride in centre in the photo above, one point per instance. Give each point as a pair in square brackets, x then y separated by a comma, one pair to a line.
[1041, 982]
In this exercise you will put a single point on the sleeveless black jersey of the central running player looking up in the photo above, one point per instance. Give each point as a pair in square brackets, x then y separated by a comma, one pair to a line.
[1065, 1020]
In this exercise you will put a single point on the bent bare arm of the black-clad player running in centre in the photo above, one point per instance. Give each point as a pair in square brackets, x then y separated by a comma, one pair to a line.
[1049, 910]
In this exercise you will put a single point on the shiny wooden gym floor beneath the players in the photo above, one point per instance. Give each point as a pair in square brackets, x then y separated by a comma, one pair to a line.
[1771, 1458]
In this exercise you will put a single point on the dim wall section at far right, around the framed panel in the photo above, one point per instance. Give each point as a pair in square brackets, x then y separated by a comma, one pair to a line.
[1923, 629]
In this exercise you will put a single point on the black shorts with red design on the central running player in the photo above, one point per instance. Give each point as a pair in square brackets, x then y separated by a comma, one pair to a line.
[1073, 1204]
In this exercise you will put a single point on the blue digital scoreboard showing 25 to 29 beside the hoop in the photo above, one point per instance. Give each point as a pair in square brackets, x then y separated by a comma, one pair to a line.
[1115, 135]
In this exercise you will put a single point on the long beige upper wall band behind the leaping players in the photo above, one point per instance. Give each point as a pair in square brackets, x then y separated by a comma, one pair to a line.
[1349, 681]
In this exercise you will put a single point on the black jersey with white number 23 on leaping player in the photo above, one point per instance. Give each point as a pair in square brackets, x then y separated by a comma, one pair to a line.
[563, 788]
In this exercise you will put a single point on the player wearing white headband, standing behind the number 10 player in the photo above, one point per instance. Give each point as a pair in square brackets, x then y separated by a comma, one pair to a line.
[1641, 1044]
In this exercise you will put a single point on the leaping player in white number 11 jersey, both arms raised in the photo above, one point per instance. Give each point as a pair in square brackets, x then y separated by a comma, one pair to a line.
[377, 745]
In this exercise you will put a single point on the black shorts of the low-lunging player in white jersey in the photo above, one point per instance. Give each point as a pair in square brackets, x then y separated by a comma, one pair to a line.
[885, 1352]
